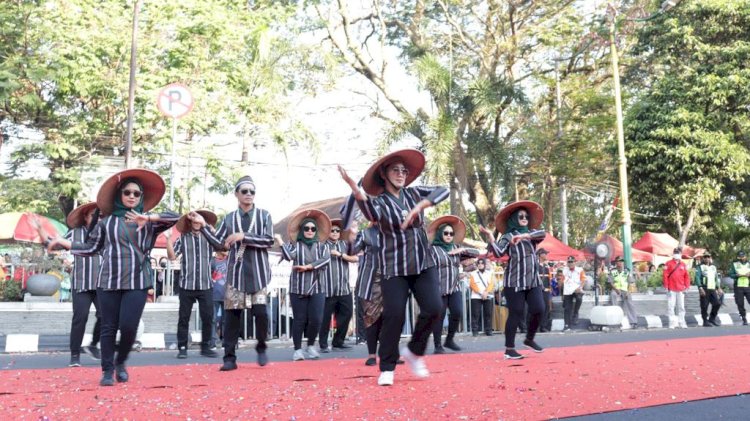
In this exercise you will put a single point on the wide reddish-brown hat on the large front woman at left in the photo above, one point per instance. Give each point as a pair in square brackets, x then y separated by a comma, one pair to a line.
[152, 183]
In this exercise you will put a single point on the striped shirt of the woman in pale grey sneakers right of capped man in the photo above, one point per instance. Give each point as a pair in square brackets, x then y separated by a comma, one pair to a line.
[310, 281]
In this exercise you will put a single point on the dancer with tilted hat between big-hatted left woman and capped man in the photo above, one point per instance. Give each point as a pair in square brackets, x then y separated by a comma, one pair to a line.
[195, 280]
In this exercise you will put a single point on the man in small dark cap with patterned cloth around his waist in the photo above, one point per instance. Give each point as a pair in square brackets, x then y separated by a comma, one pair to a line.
[248, 234]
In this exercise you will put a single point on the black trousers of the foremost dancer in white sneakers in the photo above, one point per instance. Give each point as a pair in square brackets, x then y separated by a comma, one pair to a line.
[395, 296]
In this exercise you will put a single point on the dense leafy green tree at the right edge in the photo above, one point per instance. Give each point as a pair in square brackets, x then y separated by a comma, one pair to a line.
[687, 130]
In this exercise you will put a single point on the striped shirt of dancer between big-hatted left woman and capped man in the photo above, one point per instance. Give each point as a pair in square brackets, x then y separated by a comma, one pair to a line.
[195, 266]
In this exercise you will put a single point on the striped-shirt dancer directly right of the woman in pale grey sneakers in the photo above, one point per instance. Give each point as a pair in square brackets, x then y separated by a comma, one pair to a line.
[338, 291]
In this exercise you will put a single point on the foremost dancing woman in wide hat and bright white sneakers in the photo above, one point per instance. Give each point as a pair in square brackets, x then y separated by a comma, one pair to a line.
[406, 261]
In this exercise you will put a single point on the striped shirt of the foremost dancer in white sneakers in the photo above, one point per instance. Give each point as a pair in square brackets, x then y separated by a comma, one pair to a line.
[402, 252]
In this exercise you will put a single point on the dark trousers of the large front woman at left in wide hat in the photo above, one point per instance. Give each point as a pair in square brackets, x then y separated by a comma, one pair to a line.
[120, 309]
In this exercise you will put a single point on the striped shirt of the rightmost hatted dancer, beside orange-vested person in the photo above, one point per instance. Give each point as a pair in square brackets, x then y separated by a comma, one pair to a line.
[523, 265]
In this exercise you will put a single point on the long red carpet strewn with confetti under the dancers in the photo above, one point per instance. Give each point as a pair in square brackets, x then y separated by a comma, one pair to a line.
[559, 382]
